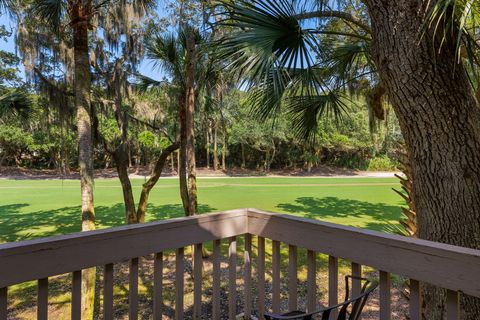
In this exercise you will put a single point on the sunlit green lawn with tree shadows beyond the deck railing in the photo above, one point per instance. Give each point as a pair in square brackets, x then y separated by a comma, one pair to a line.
[36, 208]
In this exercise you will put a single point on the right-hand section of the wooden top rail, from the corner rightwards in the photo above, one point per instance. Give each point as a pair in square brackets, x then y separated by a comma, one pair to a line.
[443, 265]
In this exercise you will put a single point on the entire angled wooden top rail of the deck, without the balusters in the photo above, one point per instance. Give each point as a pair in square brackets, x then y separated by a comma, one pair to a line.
[450, 267]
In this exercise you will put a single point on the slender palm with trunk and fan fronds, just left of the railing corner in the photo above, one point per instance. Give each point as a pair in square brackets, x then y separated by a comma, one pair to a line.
[179, 56]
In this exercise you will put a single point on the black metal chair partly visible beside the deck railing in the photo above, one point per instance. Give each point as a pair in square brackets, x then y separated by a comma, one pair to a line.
[357, 303]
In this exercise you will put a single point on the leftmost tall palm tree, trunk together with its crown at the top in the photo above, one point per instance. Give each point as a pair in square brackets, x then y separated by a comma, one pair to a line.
[77, 18]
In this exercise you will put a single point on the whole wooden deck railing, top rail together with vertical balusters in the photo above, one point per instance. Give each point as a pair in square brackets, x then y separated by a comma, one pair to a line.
[450, 267]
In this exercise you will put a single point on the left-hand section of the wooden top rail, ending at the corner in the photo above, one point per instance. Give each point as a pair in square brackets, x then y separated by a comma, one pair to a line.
[93, 248]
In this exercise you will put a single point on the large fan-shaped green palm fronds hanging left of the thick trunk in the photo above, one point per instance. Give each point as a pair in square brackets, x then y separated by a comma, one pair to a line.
[277, 59]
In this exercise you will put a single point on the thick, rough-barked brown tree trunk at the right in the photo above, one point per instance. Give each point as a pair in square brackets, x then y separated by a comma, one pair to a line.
[440, 121]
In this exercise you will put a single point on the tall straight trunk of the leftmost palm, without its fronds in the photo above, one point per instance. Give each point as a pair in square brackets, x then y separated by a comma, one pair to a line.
[85, 150]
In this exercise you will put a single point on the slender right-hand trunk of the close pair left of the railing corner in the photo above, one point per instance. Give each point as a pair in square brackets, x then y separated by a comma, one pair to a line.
[190, 124]
